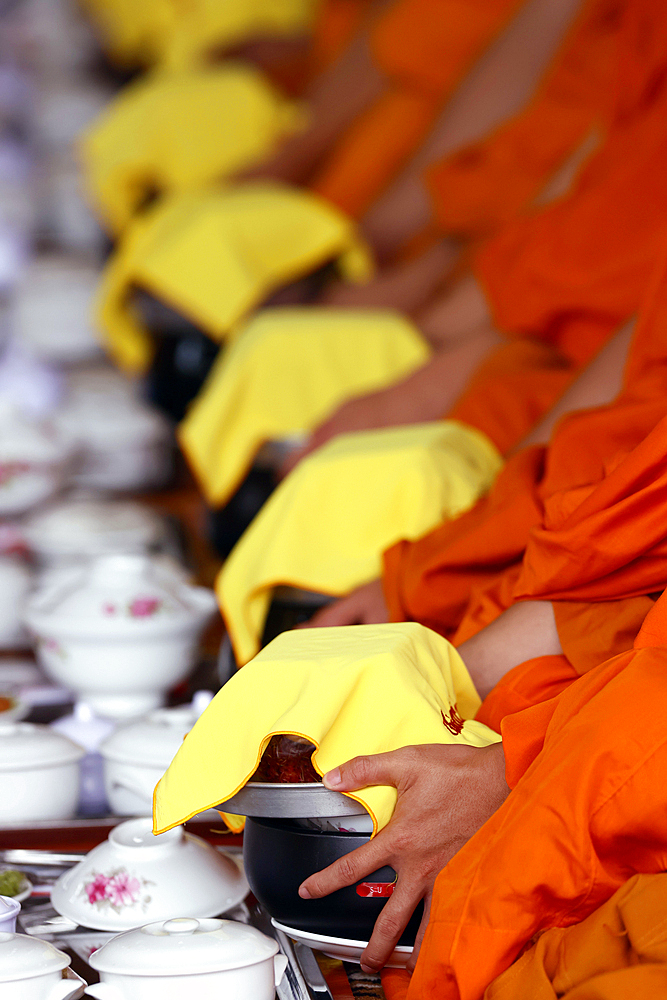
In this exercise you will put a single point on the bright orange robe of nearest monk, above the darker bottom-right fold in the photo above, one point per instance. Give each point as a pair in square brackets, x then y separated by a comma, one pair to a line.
[586, 812]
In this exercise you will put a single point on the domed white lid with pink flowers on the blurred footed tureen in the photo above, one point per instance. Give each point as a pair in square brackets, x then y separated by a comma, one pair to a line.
[119, 593]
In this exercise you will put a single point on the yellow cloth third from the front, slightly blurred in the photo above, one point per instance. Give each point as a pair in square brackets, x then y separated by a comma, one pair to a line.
[285, 372]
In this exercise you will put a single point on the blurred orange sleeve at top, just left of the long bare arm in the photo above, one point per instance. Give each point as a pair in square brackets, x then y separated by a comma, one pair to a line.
[423, 47]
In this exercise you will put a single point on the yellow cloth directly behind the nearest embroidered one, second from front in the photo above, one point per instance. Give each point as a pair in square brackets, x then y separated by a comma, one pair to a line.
[328, 523]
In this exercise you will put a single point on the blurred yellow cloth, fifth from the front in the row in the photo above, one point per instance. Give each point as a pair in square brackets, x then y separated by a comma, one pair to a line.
[179, 131]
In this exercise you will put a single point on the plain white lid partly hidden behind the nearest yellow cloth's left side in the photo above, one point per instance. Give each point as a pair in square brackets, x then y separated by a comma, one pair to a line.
[153, 740]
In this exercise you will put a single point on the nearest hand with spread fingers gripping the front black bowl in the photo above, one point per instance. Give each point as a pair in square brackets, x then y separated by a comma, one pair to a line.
[445, 794]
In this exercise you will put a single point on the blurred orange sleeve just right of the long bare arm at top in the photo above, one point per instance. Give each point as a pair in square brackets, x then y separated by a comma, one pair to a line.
[488, 183]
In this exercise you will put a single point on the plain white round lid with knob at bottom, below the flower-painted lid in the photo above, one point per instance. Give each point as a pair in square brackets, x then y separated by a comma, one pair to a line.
[184, 946]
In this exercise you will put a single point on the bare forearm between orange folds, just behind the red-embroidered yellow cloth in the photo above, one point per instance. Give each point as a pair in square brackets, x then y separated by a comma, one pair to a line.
[523, 632]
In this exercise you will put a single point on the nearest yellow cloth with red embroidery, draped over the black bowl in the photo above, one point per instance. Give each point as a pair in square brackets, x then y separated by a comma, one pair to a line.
[362, 689]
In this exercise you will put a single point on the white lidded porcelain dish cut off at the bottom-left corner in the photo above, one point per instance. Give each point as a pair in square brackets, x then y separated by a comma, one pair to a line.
[31, 969]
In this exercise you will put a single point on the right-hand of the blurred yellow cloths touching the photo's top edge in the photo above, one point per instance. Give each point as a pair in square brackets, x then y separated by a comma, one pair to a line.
[208, 25]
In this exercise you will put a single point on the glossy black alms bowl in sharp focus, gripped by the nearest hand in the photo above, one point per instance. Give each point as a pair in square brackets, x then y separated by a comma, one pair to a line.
[278, 855]
